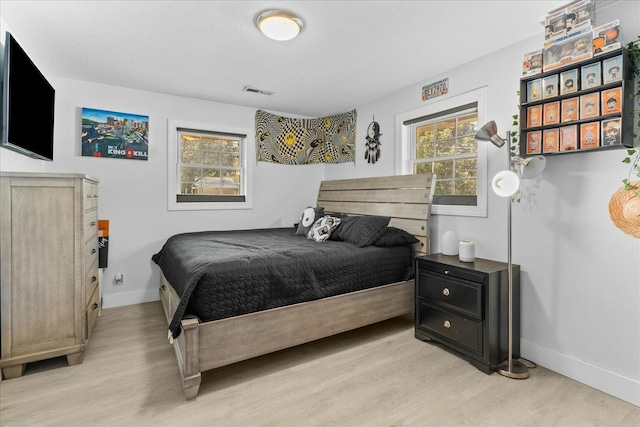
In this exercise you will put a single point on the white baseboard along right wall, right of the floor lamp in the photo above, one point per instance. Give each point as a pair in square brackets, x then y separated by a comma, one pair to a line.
[627, 389]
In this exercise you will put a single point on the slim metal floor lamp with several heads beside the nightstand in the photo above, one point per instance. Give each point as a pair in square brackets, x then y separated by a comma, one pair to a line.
[505, 184]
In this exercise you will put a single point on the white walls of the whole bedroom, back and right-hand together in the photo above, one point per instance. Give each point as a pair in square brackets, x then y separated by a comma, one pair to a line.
[581, 275]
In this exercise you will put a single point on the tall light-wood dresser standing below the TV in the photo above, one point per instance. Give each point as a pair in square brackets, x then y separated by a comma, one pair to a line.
[49, 273]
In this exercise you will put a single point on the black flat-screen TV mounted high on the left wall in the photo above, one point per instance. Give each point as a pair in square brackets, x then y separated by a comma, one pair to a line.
[28, 104]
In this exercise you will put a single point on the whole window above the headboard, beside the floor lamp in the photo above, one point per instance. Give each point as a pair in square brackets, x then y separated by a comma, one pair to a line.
[440, 138]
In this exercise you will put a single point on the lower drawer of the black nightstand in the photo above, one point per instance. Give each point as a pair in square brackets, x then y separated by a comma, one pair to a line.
[460, 330]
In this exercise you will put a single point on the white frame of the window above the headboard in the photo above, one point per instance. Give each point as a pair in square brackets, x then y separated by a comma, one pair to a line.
[404, 155]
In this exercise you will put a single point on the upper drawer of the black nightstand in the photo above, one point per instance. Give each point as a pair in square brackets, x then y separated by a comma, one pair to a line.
[456, 294]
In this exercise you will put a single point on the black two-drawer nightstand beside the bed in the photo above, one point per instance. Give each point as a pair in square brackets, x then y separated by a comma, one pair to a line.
[464, 307]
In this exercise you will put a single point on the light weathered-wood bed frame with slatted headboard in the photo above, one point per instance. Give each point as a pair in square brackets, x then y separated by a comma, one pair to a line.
[209, 345]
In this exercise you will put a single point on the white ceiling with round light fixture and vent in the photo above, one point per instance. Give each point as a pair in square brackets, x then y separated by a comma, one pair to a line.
[349, 54]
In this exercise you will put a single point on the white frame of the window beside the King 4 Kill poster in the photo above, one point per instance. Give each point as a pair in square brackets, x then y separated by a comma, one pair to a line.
[173, 176]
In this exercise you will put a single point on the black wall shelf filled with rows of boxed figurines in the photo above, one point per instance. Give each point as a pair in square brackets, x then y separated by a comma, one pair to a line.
[578, 107]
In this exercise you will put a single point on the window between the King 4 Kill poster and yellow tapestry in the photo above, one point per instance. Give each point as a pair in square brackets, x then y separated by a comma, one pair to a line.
[208, 169]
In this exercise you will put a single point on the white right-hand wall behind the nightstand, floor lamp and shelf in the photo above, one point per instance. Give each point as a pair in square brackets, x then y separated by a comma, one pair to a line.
[580, 274]
